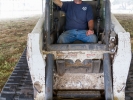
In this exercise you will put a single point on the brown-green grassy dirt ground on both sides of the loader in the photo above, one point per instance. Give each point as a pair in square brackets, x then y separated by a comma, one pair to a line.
[13, 37]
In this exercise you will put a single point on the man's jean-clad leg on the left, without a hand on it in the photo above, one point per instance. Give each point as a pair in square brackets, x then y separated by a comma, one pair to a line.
[67, 37]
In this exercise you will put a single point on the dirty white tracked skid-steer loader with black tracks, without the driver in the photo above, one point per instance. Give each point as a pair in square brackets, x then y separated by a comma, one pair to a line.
[76, 71]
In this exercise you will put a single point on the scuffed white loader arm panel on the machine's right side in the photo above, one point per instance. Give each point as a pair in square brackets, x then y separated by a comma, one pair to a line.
[121, 61]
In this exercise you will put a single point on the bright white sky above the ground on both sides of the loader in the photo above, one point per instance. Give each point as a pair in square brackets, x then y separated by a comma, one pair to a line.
[21, 8]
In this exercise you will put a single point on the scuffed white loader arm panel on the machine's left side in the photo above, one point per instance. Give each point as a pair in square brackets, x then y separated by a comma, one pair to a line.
[35, 60]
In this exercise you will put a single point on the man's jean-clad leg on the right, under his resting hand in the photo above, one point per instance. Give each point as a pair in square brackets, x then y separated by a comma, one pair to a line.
[83, 37]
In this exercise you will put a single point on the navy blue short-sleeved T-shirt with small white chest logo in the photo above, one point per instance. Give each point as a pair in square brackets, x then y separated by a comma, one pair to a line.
[77, 15]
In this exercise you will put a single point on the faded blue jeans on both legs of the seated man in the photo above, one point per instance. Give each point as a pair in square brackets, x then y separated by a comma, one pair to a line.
[73, 35]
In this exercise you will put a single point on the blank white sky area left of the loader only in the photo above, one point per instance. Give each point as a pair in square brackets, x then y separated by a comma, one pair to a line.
[19, 8]
